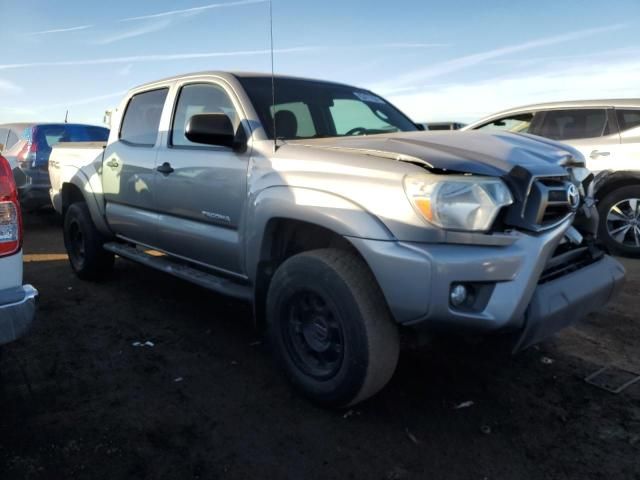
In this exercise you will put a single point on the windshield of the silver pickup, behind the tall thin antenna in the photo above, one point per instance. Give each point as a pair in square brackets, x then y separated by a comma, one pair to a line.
[310, 109]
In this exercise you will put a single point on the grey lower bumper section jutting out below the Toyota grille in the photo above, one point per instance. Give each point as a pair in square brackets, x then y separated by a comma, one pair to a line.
[568, 299]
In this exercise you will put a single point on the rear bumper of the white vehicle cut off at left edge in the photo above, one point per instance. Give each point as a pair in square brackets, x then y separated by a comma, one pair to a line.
[17, 309]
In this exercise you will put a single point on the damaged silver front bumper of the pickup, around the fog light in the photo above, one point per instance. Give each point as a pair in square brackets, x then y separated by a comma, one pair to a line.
[416, 280]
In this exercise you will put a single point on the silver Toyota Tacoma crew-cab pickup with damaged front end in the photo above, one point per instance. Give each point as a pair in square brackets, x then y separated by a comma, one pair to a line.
[338, 218]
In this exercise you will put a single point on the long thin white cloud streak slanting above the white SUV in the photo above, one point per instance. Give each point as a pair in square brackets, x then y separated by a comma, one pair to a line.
[461, 63]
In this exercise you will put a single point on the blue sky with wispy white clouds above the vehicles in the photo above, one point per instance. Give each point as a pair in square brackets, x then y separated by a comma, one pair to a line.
[436, 60]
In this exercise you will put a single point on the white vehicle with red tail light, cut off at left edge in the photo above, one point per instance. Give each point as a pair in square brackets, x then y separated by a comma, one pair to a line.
[17, 301]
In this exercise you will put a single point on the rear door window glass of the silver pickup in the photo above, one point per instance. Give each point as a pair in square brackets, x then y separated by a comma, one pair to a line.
[142, 118]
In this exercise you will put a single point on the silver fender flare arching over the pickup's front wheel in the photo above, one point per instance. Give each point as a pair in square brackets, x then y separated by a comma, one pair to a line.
[317, 207]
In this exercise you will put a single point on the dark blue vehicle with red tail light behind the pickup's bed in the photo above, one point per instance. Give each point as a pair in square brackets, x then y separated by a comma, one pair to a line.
[30, 157]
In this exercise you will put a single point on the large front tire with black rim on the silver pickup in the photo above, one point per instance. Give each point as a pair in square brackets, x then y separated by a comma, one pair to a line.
[330, 328]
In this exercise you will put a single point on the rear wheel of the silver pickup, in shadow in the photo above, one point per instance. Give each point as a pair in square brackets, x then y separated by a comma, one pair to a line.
[84, 244]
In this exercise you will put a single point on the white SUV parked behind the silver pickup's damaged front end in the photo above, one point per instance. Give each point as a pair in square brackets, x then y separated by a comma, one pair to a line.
[607, 132]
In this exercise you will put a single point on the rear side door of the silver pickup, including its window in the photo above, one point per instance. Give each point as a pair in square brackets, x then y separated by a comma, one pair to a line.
[129, 168]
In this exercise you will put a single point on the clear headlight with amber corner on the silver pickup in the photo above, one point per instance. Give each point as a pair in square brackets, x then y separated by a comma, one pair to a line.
[457, 202]
